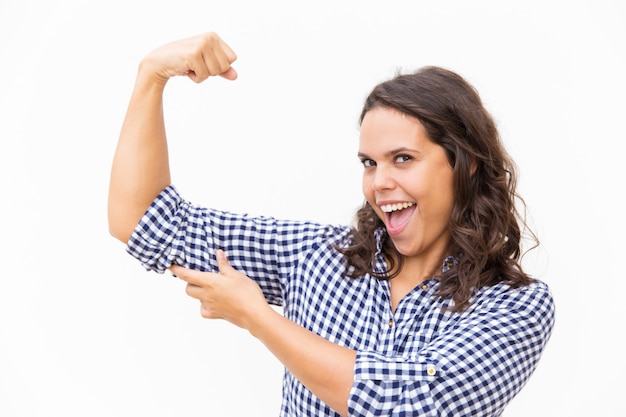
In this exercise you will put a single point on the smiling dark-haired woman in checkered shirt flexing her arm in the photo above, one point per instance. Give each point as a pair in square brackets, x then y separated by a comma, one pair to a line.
[421, 309]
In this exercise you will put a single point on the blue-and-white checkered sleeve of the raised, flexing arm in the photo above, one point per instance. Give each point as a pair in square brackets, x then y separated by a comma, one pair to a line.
[174, 231]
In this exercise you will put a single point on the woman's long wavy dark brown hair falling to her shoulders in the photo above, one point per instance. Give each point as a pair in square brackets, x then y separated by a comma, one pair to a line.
[485, 225]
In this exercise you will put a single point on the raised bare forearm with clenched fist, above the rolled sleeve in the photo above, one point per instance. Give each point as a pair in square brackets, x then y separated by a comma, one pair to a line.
[140, 167]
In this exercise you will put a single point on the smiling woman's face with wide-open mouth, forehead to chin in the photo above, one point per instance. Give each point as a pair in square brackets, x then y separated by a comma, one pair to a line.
[407, 179]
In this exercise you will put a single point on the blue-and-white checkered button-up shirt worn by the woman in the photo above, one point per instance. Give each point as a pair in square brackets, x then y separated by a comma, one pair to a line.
[417, 361]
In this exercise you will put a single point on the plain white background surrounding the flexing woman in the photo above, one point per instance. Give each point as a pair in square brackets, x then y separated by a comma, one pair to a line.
[85, 331]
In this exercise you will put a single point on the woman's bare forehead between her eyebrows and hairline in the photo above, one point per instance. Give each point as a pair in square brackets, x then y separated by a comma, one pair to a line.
[384, 128]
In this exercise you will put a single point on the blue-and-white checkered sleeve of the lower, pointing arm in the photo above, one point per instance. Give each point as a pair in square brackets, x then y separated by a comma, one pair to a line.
[475, 366]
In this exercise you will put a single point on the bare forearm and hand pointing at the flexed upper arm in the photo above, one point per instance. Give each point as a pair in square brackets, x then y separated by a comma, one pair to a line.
[323, 367]
